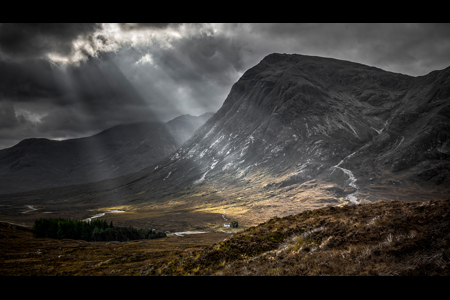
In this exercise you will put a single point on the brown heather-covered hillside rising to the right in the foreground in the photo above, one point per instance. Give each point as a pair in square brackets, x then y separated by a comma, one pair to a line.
[382, 239]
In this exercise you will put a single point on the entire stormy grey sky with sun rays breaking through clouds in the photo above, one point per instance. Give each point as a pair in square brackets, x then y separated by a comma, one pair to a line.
[70, 80]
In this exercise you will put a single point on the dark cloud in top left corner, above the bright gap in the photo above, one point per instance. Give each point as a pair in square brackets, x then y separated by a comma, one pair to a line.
[34, 40]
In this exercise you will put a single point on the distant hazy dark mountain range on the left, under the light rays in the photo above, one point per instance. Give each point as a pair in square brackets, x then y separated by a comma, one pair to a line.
[41, 163]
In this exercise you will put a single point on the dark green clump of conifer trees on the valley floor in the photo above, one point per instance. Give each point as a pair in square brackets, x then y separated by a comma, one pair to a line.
[95, 230]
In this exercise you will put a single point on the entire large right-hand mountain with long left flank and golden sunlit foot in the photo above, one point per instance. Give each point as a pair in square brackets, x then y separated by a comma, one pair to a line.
[296, 132]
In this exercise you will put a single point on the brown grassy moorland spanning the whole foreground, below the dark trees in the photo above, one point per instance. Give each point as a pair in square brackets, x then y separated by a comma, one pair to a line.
[383, 238]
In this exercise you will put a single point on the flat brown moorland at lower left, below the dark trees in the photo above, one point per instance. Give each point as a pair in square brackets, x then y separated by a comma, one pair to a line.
[23, 255]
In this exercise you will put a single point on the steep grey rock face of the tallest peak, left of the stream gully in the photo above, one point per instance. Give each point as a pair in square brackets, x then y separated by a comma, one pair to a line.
[294, 114]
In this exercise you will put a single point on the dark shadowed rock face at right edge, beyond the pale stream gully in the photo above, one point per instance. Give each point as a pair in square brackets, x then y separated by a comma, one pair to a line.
[413, 145]
